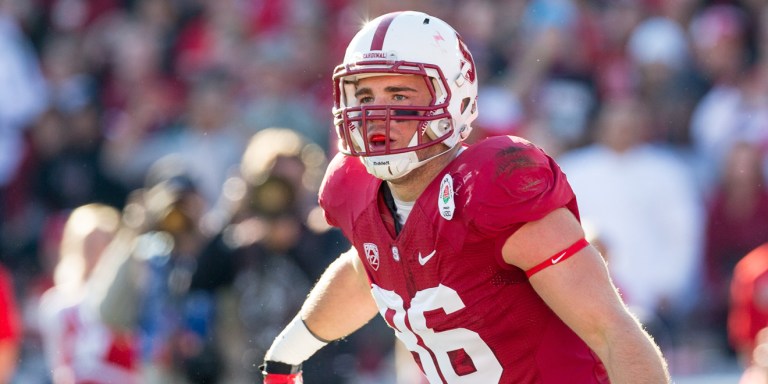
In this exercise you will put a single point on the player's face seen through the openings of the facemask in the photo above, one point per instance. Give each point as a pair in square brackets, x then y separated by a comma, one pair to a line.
[405, 90]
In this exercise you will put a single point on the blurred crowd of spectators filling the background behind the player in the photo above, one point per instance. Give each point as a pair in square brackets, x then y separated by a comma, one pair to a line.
[159, 163]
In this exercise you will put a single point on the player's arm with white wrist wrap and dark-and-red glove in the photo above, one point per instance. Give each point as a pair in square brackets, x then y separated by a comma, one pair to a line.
[339, 304]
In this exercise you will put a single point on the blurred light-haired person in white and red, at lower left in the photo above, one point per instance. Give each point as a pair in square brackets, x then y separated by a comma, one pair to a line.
[79, 348]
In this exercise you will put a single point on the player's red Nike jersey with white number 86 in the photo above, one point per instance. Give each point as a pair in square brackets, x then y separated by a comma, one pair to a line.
[442, 284]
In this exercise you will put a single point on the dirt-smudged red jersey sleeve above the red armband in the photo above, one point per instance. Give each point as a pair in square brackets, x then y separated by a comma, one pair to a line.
[518, 183]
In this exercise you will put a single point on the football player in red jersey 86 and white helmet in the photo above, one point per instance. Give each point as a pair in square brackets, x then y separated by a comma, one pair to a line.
[474, 255]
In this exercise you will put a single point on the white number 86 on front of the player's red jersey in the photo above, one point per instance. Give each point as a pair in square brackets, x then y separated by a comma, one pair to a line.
[488, 369]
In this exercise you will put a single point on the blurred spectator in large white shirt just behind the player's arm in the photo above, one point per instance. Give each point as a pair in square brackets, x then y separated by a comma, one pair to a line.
[648, 210]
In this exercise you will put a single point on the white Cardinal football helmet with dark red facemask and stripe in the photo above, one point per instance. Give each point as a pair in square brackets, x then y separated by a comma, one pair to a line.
[405, 43]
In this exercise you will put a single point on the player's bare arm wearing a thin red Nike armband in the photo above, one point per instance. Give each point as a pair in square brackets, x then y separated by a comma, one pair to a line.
[578, 289]
